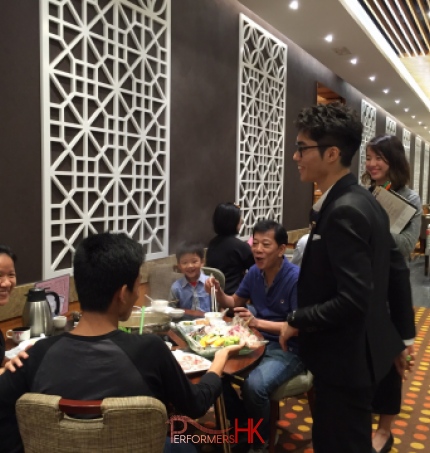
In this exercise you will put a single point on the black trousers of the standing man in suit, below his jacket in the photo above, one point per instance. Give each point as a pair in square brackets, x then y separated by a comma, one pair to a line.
[342, 418]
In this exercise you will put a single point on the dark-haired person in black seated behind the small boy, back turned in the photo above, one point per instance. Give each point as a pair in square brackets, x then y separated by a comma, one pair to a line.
[225, 251]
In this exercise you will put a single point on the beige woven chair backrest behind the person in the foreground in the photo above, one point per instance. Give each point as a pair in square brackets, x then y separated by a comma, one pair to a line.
[132, 424]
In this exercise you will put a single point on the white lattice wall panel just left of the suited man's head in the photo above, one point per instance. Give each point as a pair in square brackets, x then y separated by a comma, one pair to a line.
[261, 121]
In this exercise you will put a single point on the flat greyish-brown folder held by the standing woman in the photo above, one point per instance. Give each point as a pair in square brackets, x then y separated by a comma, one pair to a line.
[400, 211]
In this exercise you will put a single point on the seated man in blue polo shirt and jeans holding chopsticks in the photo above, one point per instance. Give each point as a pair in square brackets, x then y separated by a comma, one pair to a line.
[271, 286]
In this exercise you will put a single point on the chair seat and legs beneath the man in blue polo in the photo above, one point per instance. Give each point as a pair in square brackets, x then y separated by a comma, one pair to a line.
[298, 385]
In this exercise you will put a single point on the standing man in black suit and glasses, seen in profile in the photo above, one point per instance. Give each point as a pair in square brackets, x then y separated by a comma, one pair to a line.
[351, 271]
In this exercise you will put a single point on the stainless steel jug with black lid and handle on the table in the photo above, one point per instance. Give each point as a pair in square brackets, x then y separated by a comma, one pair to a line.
[37, 311]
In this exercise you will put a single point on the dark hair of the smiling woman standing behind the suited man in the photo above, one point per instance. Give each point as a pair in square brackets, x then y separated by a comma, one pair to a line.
[391, 150]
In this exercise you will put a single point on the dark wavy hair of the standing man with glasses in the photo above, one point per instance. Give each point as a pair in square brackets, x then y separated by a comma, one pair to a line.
[332, 125]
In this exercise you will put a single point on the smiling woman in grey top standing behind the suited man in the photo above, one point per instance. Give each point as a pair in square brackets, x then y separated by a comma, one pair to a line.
[387, 166]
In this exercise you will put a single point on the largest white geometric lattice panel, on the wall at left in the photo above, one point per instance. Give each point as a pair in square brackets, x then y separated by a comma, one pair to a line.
[105, 76]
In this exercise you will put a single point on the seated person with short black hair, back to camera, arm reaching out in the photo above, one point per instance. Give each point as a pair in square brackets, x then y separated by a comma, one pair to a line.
[96, 360]
